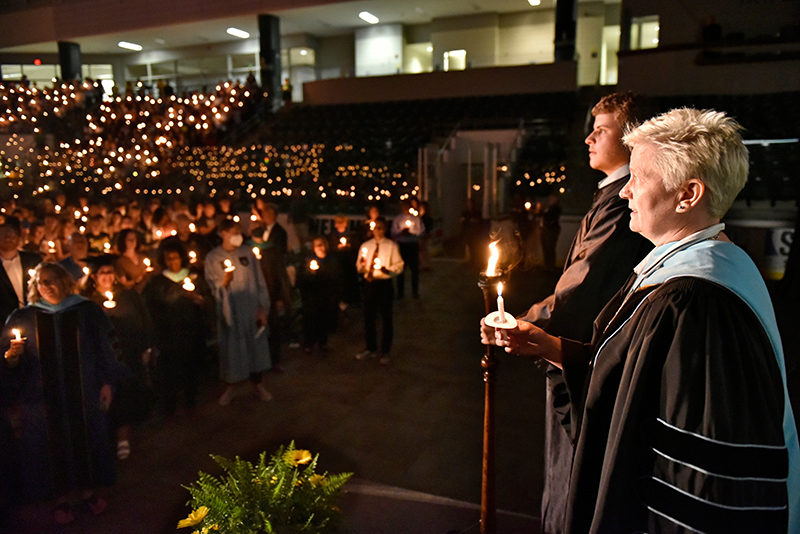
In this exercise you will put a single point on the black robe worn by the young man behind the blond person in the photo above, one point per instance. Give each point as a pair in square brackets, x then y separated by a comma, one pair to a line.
[602, 255]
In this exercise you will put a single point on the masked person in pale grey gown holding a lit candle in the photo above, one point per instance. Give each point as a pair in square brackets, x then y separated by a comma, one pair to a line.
[238, 285]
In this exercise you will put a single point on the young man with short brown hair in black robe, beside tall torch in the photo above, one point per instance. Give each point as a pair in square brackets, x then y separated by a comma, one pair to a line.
[603, 253]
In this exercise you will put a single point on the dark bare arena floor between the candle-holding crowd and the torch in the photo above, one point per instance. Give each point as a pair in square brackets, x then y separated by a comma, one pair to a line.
[410, 431]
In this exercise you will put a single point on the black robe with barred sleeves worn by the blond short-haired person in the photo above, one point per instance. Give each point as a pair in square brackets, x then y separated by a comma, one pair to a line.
[677, 410]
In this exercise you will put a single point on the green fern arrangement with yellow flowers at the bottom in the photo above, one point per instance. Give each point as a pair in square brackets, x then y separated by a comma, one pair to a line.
[284, 495]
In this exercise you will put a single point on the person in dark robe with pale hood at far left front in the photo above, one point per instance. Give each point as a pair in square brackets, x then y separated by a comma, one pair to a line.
[56, 386]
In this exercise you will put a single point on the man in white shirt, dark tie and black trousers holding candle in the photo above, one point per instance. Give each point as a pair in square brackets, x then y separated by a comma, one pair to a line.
[378, 262]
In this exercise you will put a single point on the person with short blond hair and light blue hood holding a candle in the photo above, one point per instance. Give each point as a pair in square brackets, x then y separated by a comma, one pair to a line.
[679, 406]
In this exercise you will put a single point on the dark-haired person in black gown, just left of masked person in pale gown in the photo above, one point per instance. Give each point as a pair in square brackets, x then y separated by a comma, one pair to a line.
[181, 311]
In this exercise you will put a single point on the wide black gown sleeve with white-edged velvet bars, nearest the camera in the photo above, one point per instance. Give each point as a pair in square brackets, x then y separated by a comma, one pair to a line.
[705, 401]
